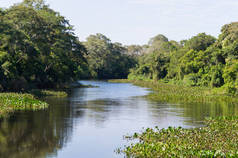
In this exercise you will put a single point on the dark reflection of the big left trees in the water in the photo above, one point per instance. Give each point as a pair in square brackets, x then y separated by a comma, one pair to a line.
[36, 134]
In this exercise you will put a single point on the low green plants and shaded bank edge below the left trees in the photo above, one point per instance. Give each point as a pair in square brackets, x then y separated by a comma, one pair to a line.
[10, 102]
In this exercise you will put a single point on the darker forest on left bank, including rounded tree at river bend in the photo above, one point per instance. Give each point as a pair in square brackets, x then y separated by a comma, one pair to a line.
[38, 49]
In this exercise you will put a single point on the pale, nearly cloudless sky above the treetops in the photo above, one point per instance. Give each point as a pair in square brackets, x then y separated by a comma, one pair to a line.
[136, 21]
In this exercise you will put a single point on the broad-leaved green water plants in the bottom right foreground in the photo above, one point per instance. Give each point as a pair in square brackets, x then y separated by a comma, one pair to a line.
[218, 139]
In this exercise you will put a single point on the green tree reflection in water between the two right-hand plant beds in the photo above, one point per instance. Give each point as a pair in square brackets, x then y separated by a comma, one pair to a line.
[194, 113]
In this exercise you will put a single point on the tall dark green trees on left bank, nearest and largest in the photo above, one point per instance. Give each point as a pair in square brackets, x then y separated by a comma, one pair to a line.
[38, 48]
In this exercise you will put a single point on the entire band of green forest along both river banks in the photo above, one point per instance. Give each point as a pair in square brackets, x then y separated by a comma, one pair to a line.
[38, 49]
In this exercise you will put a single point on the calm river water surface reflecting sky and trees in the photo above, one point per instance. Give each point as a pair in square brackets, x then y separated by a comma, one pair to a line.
[92, 121]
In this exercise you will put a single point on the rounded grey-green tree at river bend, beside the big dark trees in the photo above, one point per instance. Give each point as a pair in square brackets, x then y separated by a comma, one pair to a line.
[107, 60]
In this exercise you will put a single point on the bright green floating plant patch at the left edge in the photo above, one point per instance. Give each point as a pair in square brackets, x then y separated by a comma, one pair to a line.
[10, 102]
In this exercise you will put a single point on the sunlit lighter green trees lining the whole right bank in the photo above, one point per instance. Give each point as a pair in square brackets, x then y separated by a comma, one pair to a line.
[202, 60]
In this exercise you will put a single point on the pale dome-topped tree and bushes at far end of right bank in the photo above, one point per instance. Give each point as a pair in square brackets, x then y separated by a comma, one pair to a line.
[154, 63]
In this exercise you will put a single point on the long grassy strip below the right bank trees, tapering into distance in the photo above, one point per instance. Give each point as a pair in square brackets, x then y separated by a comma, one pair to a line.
[171, 93]
